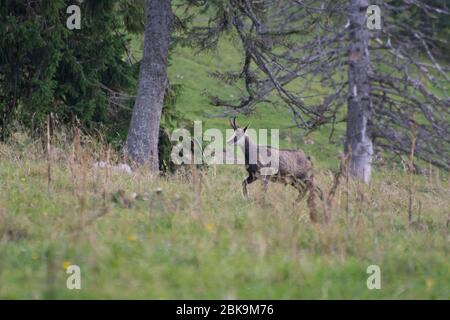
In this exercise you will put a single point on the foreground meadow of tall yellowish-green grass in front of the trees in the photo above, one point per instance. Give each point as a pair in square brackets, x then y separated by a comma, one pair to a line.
[167, 246]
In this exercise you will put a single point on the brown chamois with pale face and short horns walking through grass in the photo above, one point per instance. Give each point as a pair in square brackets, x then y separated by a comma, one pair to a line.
[294, 167]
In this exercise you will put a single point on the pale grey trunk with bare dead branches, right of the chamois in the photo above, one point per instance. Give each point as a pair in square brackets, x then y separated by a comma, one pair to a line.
[358, 144]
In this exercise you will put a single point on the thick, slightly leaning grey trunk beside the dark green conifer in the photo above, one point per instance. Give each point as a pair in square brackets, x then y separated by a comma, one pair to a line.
[143, 134]
